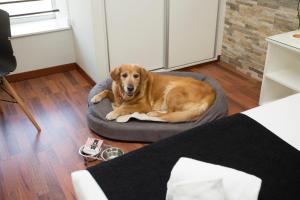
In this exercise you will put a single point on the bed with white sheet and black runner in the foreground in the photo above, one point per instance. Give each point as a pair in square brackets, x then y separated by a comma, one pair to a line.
[269, 148]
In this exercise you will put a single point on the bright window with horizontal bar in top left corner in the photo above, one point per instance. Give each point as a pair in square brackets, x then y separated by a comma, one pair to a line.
[29, 10]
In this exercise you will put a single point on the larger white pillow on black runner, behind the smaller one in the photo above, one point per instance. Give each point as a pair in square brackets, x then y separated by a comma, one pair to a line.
[237, 185]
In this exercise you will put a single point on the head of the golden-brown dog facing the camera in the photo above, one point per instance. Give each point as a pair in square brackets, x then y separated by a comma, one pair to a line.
[130, 77]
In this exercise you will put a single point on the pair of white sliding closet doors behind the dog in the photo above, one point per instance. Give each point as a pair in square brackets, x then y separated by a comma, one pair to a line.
[161, 33]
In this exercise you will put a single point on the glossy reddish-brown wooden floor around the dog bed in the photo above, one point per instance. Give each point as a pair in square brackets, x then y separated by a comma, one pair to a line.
[38, 166]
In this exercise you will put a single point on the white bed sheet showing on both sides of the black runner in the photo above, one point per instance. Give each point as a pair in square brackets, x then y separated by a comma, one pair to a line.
[282, 117]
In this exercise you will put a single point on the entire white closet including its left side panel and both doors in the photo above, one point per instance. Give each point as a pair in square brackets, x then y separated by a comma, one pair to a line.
[162, 35]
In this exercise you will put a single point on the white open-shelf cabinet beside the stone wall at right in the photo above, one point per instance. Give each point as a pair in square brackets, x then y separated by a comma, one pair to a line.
[282, 68]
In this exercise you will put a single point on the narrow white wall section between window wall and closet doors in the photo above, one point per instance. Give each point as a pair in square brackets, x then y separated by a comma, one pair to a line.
[87, 21]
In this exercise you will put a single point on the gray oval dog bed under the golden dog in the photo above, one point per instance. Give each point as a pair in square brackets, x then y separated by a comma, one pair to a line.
[145, 131]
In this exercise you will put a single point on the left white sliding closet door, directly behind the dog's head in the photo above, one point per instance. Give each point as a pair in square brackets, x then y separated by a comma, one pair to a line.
[136, 32]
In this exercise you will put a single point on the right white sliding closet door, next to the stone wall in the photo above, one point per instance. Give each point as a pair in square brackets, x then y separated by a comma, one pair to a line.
[192, 31]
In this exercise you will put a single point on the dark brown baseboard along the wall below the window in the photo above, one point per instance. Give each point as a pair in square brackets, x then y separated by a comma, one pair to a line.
[41, 72]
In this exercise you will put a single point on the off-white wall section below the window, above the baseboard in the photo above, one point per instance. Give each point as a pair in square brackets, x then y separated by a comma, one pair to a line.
[43, 50]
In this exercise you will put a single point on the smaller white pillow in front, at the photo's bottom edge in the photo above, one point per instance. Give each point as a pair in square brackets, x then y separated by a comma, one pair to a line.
[196, 190]
